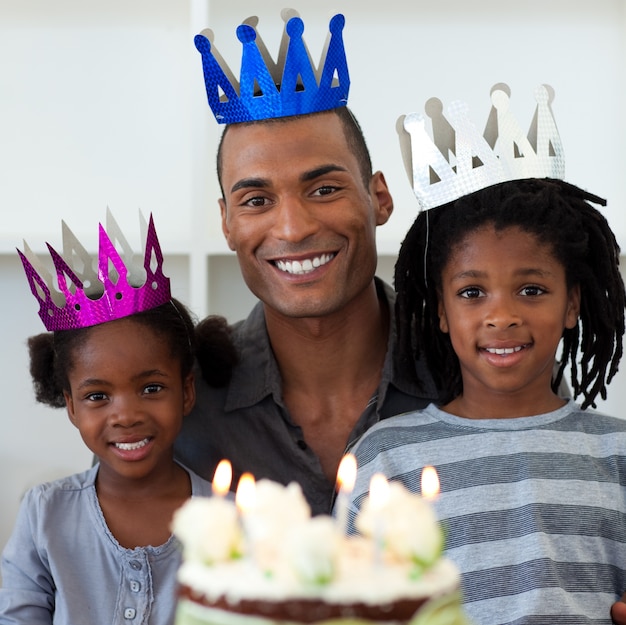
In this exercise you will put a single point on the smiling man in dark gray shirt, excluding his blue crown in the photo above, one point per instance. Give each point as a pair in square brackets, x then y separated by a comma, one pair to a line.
[300, 208]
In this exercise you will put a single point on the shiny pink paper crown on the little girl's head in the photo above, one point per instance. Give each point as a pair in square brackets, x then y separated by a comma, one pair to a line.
[118, 289]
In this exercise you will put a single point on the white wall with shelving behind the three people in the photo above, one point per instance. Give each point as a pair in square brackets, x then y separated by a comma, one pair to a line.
[102, 104]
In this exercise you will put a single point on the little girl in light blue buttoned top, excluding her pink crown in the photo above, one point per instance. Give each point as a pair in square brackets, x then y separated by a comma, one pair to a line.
[96, 547]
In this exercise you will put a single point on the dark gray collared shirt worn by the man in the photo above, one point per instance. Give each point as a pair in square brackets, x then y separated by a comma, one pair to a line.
[249, 424]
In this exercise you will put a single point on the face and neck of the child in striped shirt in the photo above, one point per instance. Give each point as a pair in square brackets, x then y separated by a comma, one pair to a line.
[505, 304]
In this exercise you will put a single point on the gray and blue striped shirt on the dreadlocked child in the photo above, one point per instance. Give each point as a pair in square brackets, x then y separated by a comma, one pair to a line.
[534, 507]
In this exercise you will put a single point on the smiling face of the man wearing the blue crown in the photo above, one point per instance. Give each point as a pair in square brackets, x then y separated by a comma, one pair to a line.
[298, 214]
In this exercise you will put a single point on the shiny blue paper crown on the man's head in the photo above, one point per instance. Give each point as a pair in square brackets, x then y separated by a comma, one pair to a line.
[267, 90]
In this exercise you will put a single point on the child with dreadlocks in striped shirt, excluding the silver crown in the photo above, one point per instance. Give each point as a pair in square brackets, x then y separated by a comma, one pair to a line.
[532, 485]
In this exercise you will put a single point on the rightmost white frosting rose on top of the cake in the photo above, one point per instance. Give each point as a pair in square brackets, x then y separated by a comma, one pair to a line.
[406, 525]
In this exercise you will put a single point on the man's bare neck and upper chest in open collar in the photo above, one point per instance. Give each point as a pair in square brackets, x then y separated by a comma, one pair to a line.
[330, 368]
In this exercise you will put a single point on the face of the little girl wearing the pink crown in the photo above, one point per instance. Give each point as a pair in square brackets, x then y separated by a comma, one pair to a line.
[127, 398]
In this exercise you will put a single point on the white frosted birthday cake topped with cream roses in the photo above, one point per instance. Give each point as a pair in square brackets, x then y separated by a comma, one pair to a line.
[275, 563]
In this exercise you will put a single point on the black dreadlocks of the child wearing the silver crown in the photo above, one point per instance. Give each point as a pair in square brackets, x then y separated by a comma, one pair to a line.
[559, 215]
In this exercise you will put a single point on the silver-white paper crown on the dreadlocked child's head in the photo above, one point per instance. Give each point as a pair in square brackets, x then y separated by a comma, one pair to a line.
[458, 160]
